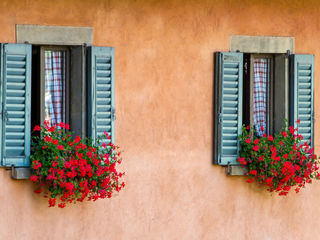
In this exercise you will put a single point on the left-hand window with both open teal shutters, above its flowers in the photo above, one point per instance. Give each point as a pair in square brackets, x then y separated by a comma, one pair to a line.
[67, 83]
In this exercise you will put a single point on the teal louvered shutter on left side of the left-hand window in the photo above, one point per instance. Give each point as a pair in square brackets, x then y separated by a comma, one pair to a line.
[15, 104]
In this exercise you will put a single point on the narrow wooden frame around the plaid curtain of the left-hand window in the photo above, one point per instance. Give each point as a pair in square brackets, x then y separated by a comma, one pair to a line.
[66, 104]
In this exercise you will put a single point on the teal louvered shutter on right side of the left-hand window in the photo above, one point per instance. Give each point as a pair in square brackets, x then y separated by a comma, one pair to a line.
[101, 101]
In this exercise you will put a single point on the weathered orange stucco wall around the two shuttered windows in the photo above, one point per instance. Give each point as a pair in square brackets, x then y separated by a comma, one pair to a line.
[164, 91]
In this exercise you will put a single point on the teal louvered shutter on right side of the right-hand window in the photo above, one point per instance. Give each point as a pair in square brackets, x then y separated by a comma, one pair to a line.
[301, 94]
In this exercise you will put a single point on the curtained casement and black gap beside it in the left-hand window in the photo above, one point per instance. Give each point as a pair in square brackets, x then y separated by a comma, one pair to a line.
[50, 84]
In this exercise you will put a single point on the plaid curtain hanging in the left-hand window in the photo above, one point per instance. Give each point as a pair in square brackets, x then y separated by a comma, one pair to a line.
[54, 86]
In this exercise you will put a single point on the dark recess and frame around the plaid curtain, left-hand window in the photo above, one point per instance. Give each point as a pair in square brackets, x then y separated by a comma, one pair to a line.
[75, 94]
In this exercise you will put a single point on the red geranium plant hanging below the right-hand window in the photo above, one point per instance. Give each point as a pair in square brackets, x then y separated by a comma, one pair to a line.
[281, 162]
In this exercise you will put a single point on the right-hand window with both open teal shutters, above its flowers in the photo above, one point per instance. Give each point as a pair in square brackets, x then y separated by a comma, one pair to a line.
[240, 92]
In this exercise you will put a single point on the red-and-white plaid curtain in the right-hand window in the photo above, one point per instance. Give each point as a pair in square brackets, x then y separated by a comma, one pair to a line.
[260, 95]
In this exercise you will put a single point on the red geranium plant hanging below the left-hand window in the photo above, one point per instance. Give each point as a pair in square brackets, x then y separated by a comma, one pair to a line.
[69, 170]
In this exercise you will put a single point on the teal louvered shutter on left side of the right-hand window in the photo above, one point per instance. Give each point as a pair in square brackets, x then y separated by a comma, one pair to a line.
[228, 104]
